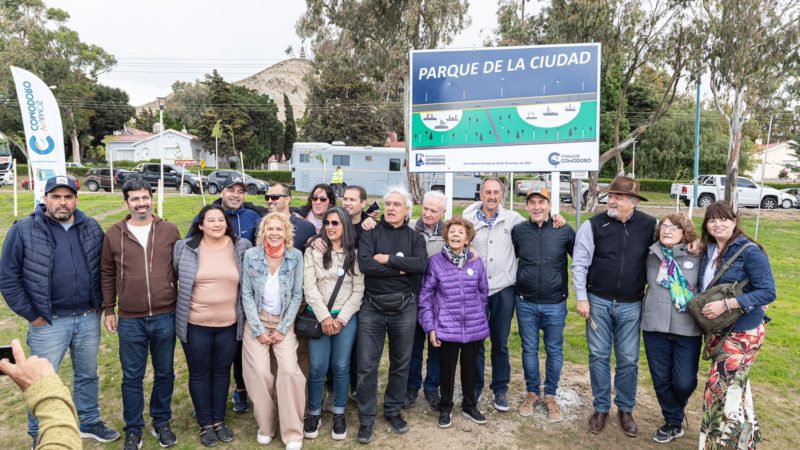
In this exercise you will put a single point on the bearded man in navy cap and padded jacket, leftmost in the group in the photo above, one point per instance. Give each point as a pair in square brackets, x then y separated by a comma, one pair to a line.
[51, 277]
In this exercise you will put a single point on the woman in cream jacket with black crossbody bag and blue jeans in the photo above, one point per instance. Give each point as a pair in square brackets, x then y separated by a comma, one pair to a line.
[334, 287]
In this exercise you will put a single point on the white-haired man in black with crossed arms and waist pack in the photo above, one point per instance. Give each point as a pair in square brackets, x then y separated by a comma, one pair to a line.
[392, 257]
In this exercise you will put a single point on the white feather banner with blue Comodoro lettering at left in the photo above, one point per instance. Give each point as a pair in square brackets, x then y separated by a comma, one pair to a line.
[44, 137]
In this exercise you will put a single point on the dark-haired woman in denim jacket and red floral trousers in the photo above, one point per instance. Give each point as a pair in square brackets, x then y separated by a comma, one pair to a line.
[728, 414]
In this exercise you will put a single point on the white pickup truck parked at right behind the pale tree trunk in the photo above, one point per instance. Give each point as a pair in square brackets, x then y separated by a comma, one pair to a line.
[711, 188]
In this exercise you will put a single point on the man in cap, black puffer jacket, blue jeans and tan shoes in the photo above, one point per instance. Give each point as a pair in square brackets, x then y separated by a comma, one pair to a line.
[542, 291]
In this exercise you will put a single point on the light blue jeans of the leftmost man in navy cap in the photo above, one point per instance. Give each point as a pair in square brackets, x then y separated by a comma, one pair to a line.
[80, 334]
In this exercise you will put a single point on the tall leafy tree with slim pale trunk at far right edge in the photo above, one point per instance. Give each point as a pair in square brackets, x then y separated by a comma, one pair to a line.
[751, 50]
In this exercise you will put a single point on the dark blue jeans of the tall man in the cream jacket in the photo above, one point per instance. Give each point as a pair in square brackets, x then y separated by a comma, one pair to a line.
[500, 312]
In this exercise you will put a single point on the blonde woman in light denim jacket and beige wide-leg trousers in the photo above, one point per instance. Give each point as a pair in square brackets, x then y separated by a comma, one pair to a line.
[272, 286]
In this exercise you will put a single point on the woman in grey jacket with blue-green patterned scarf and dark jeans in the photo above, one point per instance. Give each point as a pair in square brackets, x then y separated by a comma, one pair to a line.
[672, 338]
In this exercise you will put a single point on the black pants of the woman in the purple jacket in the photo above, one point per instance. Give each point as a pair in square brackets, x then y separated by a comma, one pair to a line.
[448, 357]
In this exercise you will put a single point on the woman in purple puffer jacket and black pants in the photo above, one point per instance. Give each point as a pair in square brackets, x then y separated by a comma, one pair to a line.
[452, 311]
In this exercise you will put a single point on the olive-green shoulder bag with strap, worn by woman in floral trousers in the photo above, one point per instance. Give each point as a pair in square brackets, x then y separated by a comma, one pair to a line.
[722, 324]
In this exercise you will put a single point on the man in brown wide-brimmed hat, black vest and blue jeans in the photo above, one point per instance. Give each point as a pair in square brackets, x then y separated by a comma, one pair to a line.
[608, 273]
